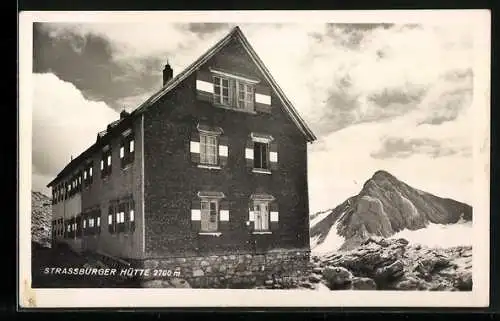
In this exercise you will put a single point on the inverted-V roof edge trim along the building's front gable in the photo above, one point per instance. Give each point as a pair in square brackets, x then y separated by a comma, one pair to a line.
[234, 34]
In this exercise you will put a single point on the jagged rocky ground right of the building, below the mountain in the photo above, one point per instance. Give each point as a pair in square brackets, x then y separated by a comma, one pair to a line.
[382, 264]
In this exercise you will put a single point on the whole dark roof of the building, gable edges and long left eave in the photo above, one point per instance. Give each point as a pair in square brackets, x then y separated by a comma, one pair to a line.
[172, 83]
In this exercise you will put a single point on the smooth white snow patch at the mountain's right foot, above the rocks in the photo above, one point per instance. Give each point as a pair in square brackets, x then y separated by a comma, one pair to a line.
[440, 235]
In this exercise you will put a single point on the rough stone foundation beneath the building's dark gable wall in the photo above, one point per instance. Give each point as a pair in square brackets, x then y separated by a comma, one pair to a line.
[232, 271]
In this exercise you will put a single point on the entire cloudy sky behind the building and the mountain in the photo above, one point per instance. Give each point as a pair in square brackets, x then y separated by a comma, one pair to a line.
[378, 96]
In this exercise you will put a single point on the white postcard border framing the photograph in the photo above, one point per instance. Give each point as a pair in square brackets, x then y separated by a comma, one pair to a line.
[479, 297]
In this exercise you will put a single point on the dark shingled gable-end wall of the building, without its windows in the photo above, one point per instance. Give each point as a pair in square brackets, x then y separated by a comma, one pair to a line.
[172, 180]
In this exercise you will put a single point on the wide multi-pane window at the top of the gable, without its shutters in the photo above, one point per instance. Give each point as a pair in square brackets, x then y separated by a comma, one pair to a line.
[234, 93]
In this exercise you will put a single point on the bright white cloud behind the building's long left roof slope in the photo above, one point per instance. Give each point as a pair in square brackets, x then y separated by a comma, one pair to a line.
[64, 125]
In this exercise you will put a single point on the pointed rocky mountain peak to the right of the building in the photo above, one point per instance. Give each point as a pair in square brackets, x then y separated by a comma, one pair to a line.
[385, 206]
